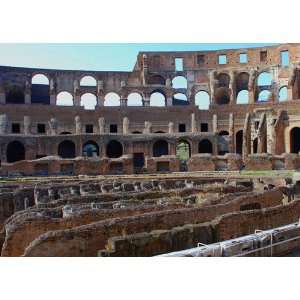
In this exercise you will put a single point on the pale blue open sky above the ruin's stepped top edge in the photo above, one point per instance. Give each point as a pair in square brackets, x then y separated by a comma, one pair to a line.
[101, 57]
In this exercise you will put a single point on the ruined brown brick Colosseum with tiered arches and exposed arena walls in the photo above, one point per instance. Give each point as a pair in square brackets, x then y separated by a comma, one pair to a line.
[187, 149]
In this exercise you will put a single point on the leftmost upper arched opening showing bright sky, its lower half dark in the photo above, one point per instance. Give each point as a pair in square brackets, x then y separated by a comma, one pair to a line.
[40, 91]
